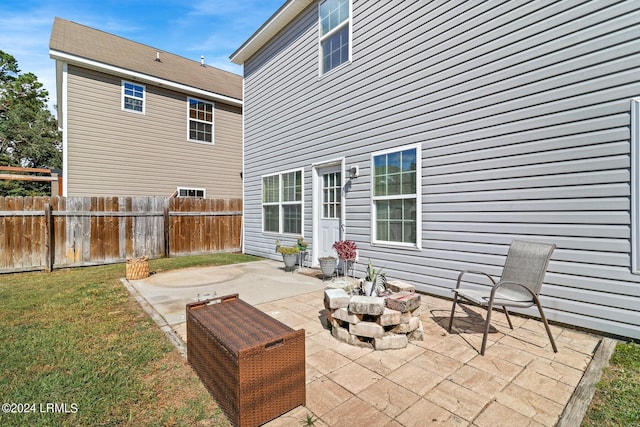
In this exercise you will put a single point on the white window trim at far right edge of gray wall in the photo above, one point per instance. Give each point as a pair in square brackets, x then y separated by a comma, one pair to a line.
[635, 186]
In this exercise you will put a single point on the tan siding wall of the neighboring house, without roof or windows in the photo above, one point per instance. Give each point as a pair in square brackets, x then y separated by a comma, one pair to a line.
[116, 152]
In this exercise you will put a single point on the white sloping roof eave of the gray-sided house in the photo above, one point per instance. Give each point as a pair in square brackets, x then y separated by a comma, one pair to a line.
[269, 29]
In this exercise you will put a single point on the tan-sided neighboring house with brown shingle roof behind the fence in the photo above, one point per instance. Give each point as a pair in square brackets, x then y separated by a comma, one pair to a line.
[139, 121]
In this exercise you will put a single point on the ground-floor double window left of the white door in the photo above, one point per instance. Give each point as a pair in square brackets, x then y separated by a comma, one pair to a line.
[282, 203]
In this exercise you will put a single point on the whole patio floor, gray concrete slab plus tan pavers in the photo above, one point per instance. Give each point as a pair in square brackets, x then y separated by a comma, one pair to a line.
[442, 380]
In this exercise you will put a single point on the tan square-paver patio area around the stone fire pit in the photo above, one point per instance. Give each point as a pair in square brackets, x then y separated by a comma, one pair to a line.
[439, 381]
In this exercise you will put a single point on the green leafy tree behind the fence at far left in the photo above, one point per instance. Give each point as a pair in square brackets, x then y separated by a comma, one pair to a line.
[29, 135]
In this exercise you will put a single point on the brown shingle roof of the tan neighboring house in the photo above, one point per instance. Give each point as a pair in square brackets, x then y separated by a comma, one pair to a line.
[88, 43]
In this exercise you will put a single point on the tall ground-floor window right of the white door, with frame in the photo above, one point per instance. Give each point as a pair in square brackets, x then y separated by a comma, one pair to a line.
[396, 198]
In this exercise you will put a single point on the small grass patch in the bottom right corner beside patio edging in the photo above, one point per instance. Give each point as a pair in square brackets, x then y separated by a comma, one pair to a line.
[616, 401]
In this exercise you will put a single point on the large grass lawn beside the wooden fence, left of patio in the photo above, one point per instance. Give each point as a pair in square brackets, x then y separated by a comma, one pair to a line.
[76, 349]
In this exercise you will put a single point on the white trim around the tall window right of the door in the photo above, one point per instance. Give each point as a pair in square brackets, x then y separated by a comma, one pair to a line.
[418, 197]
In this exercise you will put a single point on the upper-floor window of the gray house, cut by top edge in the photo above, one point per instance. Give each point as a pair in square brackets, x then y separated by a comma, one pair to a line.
[335, 33]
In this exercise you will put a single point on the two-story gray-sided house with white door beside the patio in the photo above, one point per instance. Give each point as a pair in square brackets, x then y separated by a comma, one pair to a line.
[434, 133]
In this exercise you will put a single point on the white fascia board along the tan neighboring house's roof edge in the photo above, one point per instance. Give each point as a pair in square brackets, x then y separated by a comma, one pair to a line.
[110, 69]
